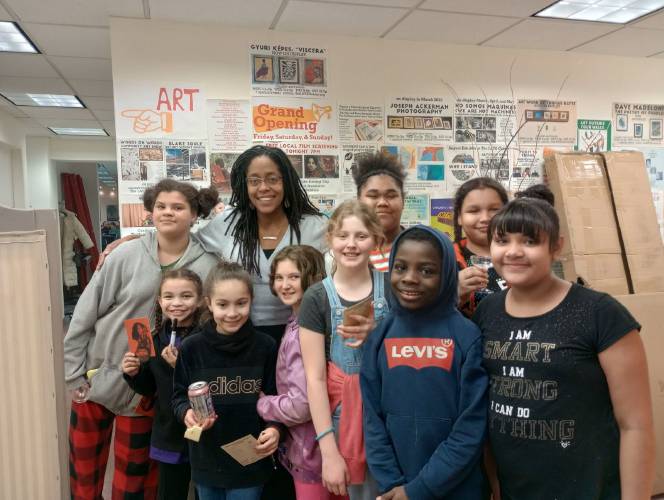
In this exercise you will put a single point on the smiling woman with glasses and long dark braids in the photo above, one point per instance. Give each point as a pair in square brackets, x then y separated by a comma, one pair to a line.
[268, 210]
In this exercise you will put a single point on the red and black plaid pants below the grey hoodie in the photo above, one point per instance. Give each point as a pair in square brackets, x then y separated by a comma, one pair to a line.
[90, 430]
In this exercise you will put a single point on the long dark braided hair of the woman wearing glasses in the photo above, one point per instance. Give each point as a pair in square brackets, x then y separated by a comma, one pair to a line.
[296, 203]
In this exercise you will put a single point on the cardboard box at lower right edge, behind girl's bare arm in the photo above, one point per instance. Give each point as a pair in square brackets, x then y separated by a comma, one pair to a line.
[646, 308]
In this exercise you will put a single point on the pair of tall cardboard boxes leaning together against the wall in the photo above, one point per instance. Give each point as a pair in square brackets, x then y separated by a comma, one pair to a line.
[608, 220]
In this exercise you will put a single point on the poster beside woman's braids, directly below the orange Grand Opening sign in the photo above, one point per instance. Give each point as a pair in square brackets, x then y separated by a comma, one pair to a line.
[317, 165]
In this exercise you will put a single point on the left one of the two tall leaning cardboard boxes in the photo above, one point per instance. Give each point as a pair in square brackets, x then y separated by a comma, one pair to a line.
[592, 248]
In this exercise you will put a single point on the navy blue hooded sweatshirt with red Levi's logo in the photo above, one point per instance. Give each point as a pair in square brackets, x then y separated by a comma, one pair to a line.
[425, 394]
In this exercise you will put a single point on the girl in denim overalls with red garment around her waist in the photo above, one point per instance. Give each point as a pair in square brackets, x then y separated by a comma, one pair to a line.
[332, 351]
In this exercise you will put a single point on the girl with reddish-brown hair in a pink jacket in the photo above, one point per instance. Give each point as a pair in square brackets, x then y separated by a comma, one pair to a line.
[294, 269]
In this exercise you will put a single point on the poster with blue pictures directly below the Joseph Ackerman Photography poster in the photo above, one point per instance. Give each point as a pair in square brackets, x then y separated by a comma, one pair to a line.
[424, 166]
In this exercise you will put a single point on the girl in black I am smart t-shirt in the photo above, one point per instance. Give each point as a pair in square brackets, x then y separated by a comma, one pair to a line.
[570, 414]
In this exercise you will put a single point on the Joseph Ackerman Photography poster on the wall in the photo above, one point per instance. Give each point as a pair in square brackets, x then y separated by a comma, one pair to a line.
[419, 119]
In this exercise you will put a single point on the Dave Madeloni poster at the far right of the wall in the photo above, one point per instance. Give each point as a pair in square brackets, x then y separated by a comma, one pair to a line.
[637, 124]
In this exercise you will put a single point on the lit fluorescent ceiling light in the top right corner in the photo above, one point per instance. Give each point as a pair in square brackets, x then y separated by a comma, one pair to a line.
[606, 11]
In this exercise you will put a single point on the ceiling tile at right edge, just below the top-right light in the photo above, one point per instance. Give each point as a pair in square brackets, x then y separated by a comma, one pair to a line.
[631, 42]
